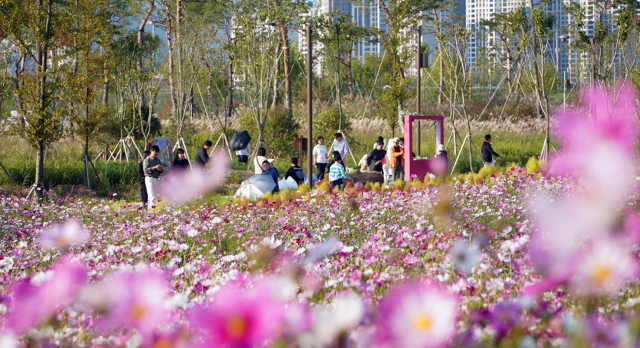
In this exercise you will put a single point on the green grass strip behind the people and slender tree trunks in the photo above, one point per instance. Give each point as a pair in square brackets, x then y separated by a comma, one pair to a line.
[63, 160]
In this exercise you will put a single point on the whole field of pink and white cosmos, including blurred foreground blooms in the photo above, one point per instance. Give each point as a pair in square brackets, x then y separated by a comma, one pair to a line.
[521, 259]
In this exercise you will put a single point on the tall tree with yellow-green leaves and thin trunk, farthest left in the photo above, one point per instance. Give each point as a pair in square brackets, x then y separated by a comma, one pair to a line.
[40, 29]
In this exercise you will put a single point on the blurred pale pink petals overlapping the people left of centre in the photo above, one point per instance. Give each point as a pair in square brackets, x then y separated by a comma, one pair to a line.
[186, 186]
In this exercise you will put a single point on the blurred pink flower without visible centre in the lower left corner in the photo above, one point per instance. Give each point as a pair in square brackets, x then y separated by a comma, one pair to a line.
[32, 304]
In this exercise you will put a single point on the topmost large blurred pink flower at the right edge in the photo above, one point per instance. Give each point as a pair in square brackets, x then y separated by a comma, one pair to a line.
[601, 148]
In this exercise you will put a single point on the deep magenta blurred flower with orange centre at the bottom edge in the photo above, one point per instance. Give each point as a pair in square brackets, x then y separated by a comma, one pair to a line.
[239, 318]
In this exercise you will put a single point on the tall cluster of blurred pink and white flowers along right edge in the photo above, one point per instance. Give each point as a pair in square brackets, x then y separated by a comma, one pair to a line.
[575, 233]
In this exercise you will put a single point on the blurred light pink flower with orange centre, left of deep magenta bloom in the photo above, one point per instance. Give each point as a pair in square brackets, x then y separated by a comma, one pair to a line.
[131, 300]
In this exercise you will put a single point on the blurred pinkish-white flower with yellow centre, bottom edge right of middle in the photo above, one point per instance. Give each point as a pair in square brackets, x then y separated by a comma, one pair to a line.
[416, 315]
